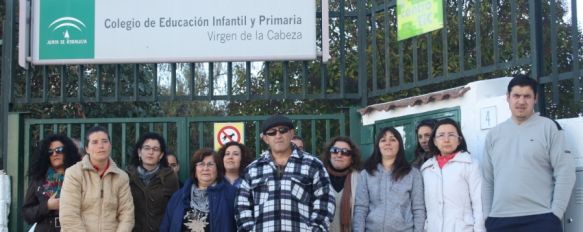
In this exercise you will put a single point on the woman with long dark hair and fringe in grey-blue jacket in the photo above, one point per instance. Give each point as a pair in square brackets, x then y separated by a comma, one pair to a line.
[390, 192]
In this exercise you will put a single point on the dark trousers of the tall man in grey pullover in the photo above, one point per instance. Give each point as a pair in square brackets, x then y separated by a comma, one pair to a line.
[547, 222]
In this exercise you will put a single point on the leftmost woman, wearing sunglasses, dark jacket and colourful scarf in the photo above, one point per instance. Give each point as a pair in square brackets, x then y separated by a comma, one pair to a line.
[41, 203]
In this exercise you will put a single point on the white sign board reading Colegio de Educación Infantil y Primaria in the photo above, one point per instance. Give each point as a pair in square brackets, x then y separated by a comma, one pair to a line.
[142, 31]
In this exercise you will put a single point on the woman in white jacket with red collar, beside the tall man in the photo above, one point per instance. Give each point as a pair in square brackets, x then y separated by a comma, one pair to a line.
[452, 182]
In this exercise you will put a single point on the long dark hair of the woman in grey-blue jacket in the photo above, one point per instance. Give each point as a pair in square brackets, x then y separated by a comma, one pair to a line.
[400, 168]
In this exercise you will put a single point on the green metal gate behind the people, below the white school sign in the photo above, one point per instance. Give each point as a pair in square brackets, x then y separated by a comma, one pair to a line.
[184, 135]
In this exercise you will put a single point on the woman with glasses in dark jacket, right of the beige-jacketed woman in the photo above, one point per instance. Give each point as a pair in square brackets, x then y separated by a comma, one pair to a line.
[151, 180]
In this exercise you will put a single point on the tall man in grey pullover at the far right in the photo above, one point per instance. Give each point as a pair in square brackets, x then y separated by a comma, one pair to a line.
[528, 173]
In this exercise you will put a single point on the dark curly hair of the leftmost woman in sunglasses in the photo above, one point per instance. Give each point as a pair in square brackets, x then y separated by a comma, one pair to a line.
[39, 168]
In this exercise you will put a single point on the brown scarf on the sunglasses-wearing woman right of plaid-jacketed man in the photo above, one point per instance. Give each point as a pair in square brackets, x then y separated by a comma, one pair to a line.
[345, 206]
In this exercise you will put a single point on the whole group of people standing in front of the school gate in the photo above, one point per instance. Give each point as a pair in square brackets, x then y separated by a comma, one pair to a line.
[523, 183]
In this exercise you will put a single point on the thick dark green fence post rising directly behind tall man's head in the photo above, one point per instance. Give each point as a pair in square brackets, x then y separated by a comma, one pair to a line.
[536, 49]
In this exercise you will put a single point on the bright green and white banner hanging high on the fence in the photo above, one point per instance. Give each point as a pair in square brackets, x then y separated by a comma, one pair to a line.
[415, 17]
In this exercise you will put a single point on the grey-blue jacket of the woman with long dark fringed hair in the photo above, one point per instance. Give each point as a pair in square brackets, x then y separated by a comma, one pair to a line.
[385, 205]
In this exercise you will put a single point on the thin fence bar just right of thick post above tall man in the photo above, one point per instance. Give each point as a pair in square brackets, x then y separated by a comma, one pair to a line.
[554, 58]
